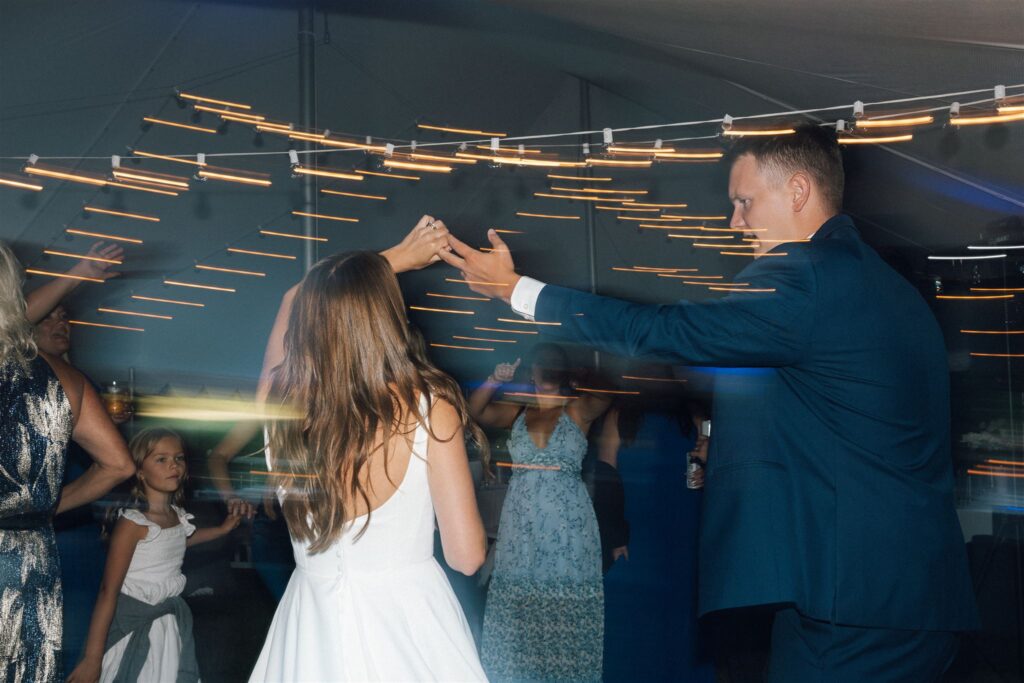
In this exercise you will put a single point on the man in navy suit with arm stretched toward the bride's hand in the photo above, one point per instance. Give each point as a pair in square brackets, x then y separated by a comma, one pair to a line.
[830, 489]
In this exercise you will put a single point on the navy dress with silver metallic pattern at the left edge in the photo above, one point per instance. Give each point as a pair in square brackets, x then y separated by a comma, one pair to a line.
[35, 425]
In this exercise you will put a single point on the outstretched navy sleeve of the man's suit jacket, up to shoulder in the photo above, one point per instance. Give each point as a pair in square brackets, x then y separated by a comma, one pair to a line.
[773, 327]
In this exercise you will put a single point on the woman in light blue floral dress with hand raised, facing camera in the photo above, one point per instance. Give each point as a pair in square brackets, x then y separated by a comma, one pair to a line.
[544, 619]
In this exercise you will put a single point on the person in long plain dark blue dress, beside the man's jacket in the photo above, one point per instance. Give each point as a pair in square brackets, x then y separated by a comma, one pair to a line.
[651, 593]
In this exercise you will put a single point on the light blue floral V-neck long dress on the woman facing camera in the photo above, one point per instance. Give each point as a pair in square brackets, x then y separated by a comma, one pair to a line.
[545, 614]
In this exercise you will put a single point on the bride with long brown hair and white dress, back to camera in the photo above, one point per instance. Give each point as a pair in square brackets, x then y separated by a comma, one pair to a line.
[376, 452]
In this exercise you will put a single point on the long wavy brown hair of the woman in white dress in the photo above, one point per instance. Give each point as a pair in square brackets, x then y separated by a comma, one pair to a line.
[354, 374]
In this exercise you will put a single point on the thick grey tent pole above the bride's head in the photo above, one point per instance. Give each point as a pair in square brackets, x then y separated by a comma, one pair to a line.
[308, 115]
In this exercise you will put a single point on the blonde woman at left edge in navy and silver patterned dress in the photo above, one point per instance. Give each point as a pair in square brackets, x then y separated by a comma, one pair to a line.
[45, 403]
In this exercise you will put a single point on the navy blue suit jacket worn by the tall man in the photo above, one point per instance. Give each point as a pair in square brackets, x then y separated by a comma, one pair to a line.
[830, 480]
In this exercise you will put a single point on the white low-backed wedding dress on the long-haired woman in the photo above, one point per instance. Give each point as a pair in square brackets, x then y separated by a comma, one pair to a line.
[377, 609]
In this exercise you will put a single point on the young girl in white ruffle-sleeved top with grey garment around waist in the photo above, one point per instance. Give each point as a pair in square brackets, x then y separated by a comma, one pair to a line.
[142, 627]
